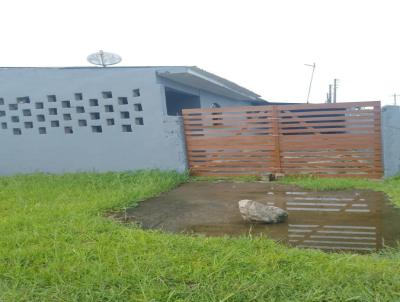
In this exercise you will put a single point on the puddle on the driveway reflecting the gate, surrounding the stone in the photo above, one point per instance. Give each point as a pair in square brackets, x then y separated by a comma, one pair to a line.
[357, 220]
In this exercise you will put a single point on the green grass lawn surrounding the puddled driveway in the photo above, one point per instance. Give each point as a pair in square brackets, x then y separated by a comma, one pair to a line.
[56, 245]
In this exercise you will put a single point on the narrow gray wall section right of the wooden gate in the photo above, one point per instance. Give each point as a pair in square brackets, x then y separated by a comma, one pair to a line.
[391, 139]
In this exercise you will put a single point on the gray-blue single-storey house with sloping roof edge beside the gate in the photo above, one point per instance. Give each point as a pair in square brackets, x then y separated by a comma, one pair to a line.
[104, 119]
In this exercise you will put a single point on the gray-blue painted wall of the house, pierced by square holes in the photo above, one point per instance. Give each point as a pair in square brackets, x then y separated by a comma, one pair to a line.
[159, 143]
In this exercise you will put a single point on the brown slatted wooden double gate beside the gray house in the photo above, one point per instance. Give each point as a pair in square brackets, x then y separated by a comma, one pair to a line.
[331, 140]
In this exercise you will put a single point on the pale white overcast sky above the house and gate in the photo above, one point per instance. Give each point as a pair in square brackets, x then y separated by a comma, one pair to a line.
[261, 45]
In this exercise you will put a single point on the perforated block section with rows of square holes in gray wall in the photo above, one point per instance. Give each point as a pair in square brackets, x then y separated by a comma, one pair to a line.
[25, 115]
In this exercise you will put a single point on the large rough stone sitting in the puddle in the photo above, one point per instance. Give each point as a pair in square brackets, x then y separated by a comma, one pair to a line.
[257, 212]
